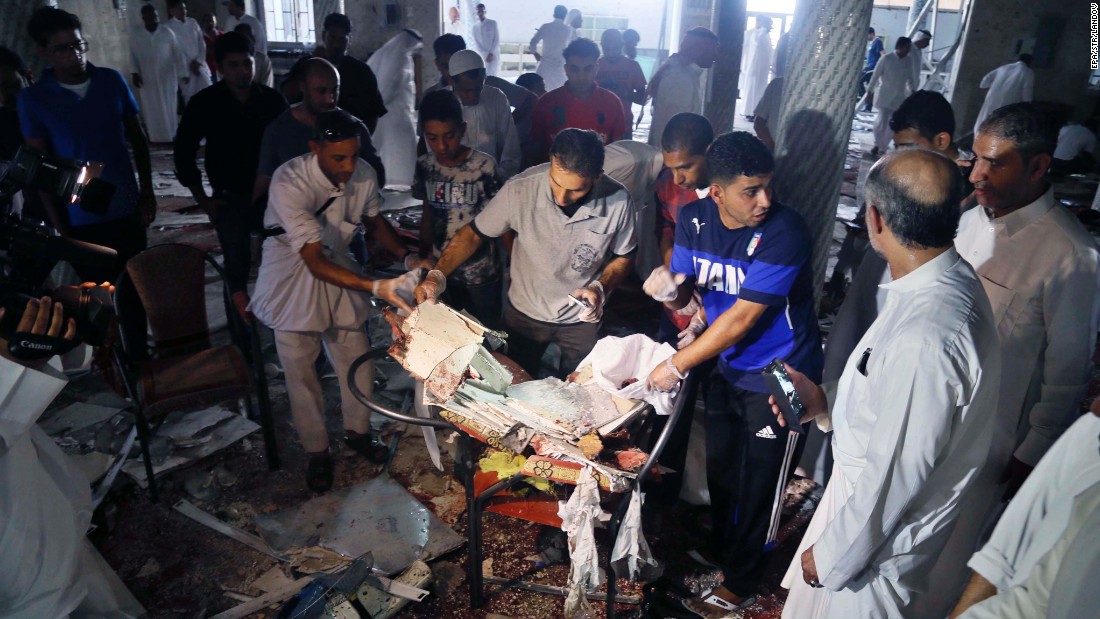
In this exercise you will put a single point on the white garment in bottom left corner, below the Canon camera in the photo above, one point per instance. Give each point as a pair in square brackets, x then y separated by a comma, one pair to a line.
[46, 507]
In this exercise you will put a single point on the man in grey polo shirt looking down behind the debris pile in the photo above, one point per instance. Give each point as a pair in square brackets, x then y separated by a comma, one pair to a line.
[576, 237]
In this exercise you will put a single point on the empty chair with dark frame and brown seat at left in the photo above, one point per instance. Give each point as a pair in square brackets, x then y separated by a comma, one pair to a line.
[184, 372]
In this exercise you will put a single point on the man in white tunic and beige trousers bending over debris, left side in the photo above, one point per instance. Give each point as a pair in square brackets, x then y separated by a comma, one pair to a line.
[310, 291]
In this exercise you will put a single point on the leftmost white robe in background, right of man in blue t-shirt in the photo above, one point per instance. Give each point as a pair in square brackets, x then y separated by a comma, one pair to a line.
[158, 59]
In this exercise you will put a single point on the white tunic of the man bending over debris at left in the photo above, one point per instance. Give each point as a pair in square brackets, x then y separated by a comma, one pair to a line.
[289, 297]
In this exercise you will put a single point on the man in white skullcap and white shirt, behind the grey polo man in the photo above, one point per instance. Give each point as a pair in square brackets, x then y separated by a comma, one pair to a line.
[490, 127]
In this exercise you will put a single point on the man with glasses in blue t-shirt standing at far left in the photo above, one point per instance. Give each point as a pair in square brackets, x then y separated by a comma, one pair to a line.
[81, 112]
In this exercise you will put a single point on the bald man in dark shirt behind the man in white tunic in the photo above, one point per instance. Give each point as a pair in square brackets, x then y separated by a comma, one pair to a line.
[289, 137]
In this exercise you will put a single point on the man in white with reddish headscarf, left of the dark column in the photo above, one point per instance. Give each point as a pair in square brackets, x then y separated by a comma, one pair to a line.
[678, 87]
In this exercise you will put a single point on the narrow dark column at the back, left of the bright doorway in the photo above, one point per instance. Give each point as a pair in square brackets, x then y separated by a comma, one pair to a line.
[722, 104]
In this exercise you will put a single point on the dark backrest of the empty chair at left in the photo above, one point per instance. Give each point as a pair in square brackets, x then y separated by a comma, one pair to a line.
[171, 282]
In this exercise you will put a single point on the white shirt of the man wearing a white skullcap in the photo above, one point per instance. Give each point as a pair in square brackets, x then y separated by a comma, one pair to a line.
[490, 129]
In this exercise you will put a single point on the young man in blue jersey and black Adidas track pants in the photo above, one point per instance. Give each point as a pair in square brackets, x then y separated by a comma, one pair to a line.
[751, 259]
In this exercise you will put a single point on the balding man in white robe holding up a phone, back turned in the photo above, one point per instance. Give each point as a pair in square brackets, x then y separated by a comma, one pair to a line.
[922, 382]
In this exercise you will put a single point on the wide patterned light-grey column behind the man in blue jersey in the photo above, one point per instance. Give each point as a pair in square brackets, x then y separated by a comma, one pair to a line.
[816, 116]
